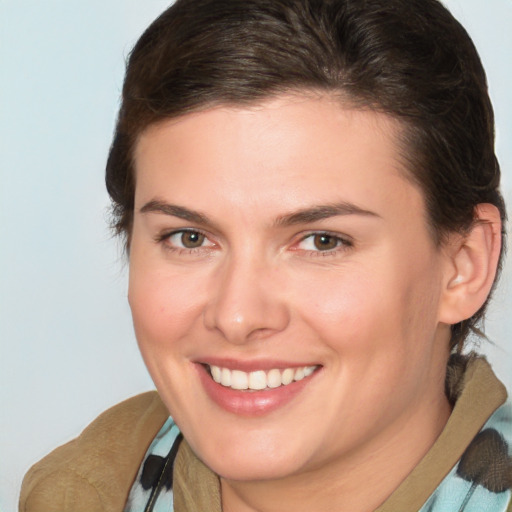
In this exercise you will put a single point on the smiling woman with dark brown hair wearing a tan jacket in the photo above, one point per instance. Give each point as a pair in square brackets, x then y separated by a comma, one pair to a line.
[310, 200]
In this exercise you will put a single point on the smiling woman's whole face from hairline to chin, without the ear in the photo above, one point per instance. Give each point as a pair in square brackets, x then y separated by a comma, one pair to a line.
[283, 242]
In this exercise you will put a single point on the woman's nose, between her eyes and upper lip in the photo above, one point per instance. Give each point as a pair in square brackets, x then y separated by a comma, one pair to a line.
[248, 301]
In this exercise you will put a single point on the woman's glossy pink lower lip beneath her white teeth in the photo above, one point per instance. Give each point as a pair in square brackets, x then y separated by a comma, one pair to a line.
[250, 403]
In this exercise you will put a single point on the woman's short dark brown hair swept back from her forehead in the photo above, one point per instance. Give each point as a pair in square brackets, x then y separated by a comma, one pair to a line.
[408, 58]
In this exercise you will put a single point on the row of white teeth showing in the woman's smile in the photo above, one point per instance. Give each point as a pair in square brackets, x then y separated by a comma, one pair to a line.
[259, 380]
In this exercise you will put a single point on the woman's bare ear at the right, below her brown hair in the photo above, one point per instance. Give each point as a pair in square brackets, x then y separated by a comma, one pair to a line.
[472, 261]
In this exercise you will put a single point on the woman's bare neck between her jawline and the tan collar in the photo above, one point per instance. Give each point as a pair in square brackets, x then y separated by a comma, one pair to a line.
[355, 482]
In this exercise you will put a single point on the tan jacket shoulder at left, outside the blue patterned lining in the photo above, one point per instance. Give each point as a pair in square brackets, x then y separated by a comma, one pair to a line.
[94, 472]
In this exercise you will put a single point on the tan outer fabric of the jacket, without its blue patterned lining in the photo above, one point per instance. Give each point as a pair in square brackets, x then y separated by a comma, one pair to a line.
[94, 473]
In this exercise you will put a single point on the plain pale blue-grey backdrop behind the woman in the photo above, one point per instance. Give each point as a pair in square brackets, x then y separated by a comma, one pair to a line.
[67, 351]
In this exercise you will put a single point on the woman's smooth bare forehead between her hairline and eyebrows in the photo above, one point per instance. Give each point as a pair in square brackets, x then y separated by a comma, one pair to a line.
[283, 151]
